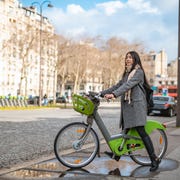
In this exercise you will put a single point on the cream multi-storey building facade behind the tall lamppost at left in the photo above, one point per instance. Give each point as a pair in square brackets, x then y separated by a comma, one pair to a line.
[23, 54]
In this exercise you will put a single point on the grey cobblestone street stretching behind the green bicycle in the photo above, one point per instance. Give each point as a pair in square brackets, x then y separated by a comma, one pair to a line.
[29, 134]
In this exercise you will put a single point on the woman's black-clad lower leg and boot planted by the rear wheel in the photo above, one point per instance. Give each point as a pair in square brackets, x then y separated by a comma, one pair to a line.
[150, 149]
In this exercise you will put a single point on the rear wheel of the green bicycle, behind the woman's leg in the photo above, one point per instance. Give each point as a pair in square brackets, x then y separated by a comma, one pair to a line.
[159, 140]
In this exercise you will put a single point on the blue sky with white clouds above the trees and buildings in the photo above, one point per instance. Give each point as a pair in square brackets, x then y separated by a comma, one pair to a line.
[152, 22]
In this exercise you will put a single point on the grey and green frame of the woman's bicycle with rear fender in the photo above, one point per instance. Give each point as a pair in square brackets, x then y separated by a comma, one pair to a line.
[123, 143]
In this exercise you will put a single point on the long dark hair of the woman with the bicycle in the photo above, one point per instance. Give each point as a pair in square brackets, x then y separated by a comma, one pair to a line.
[137, 60]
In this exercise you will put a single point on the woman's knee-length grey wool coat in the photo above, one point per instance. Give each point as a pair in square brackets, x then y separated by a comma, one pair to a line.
[134, 113]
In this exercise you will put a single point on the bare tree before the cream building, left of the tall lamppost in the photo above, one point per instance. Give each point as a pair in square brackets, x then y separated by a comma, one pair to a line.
[22, 41]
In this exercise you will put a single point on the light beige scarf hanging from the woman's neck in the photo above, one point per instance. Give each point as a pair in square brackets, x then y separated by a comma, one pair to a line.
[131, 74]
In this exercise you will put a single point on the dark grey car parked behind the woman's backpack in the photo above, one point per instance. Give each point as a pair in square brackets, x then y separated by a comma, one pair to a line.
[165, 105]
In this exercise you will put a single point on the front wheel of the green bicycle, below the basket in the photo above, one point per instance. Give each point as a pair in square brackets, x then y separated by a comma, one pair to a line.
[72, 148]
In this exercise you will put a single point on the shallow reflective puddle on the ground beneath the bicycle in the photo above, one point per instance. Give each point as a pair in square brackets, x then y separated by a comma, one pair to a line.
[100, 166]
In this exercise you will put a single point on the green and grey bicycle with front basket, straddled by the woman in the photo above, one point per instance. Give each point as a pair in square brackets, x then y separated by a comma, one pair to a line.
[77, 144]
